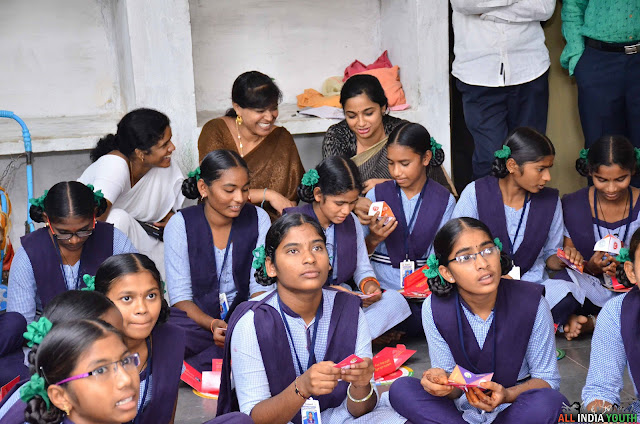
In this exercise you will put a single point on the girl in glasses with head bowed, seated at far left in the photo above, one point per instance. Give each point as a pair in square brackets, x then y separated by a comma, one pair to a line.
[53, 259]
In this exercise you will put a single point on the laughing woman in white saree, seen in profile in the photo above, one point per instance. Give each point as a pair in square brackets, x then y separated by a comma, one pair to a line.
[142, 185]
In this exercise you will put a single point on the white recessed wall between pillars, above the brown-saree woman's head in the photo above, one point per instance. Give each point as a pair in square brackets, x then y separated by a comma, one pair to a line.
[300, 43]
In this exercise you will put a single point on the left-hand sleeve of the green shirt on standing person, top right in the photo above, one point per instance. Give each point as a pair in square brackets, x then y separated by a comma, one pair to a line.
[572, 22]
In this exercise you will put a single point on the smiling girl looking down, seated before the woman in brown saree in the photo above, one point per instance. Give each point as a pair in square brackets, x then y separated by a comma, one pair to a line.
[208, 253]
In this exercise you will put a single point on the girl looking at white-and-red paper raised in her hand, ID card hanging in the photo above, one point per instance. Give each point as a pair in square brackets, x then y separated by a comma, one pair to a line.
[420, 205]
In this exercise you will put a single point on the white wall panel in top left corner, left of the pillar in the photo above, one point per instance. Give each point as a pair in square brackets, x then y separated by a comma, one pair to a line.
[57, 58]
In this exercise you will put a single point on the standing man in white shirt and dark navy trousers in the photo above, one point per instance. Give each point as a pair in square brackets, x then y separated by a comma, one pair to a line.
[501, 66]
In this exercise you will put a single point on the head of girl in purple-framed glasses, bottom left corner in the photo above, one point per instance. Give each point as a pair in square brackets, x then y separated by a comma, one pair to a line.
[85, 374]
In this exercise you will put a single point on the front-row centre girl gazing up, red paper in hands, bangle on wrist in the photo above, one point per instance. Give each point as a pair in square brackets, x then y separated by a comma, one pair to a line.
[281, 351]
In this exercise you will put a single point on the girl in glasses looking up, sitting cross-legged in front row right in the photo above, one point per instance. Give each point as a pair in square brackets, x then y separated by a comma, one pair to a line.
[485, 324]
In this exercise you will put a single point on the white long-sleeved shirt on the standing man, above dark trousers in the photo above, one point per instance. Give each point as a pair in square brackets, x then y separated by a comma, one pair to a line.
[495, 35]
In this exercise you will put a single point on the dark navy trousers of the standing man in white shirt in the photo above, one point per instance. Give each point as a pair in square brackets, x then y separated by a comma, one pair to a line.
[491, 113]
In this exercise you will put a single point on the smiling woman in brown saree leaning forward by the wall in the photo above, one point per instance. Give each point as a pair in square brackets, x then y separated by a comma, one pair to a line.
[249, 129]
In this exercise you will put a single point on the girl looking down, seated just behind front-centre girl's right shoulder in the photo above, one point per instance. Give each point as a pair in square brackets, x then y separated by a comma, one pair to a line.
[331, 191]
